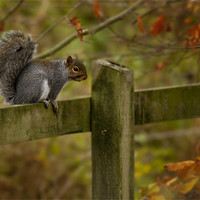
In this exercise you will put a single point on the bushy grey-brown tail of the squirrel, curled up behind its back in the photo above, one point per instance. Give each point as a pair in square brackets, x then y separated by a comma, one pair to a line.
[16, 50]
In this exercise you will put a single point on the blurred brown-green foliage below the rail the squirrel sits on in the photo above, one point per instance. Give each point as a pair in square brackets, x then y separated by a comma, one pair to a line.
[45, 169]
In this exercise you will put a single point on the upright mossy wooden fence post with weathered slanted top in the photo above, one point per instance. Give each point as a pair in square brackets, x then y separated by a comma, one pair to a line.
[112, 131]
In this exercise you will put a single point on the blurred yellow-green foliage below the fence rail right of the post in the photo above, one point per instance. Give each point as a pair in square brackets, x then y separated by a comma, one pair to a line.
[159, 144]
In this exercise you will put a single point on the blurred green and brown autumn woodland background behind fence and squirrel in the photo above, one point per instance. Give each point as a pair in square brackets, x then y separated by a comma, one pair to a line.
[156, 39]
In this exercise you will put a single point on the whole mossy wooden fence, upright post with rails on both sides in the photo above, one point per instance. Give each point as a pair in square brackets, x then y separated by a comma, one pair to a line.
[110, 114]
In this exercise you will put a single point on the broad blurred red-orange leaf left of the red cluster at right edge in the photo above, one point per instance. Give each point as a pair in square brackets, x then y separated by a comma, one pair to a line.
[160, 25]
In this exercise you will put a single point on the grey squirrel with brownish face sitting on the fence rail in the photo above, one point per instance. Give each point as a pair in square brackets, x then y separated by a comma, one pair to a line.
[27, 80]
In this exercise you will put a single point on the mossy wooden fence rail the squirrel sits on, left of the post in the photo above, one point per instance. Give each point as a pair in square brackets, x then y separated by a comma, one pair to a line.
[30, 122]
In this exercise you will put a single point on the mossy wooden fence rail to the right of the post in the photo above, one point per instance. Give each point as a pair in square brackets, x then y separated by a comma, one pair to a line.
[164, 104]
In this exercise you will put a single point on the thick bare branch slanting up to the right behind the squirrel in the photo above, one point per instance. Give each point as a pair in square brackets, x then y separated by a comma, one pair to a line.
[92, 30]
